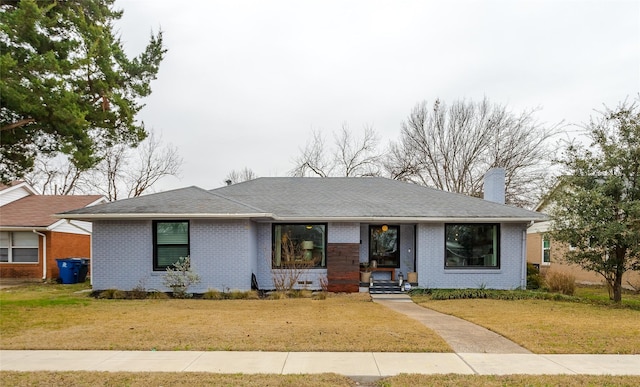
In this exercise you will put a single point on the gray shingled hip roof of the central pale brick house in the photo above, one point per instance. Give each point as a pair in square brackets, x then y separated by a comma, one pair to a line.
[291, 198]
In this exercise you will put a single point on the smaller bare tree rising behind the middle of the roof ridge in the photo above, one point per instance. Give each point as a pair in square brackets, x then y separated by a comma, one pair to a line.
[351, 156]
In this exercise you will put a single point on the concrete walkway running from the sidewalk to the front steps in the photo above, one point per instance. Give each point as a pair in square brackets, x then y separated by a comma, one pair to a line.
[461, 335]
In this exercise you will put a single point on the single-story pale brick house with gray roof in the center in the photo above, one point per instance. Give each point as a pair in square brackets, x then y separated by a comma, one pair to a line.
[330, 225]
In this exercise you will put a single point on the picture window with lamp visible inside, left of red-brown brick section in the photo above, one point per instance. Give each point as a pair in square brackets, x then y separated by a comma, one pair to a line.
[299, 245]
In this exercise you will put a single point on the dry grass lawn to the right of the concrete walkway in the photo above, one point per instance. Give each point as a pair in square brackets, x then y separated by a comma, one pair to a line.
[550, 326]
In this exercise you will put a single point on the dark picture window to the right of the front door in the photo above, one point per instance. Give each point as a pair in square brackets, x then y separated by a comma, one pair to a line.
[472, 246]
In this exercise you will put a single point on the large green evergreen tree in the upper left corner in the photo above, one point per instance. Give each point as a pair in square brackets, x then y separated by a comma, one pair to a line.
[66, 84]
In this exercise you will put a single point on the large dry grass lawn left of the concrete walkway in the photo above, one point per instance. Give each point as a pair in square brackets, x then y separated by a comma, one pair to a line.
[54, 317]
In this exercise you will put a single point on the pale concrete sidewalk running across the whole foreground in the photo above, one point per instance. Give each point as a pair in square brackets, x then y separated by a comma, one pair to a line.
[354, 364]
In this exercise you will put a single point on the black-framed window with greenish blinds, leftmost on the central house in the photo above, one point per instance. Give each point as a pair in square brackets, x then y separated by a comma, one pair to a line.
[170, 242]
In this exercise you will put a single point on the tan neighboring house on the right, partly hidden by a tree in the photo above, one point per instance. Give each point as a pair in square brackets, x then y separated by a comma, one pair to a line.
[548, 254]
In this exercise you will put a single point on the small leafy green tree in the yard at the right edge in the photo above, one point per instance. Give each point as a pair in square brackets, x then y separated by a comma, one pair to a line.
[597, 205]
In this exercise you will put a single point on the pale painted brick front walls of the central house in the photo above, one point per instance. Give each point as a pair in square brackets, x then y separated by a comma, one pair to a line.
[225, 253]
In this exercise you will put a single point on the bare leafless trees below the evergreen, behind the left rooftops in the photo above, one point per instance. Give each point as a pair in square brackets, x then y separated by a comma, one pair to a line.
[132, 171]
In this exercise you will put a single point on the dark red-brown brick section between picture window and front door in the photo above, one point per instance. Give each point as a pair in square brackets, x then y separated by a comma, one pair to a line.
[343, 267]
